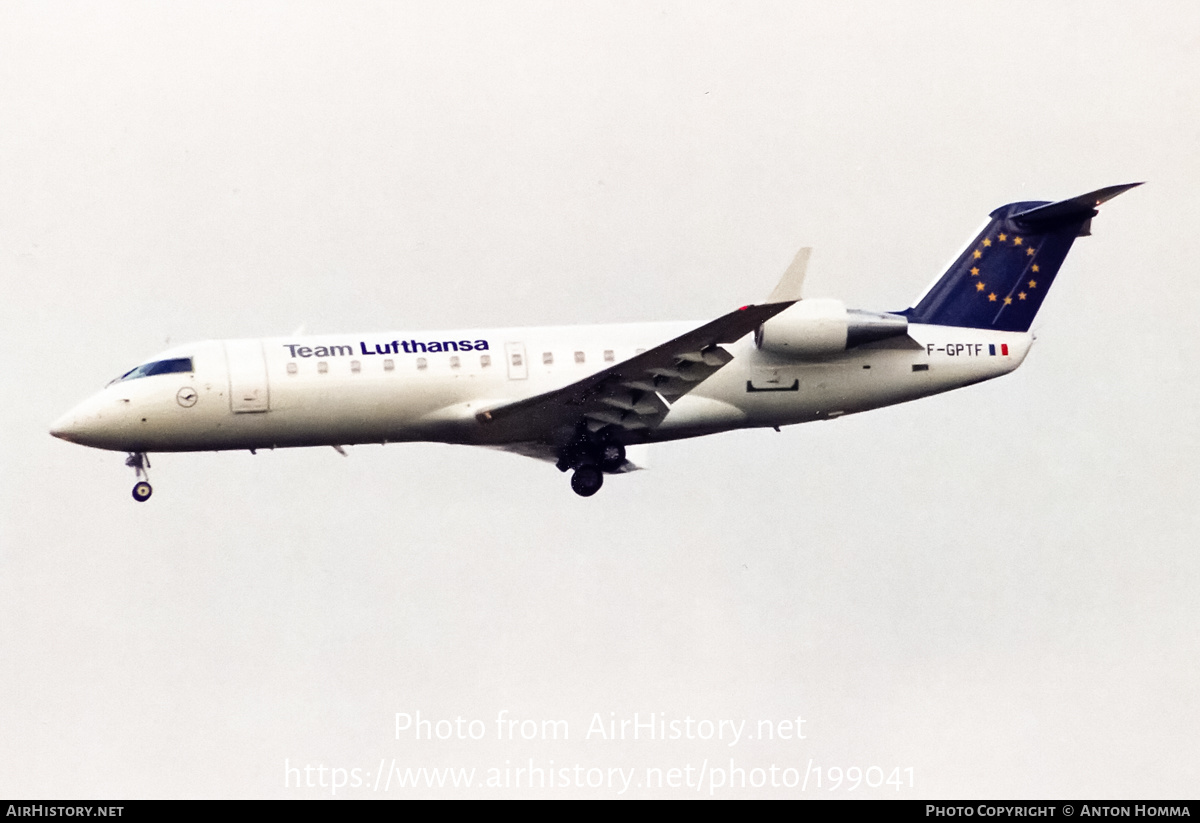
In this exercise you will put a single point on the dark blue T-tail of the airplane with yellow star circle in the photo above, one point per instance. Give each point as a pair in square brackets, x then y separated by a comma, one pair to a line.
[1001, 279]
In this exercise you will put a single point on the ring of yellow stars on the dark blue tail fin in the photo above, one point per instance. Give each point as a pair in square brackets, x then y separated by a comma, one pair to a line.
[1005, 272]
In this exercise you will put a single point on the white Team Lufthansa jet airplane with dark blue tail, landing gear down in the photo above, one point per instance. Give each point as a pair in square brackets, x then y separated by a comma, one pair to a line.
[590, 399]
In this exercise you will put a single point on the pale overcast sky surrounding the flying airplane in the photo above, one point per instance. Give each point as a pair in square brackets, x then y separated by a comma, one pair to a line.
[995, 588]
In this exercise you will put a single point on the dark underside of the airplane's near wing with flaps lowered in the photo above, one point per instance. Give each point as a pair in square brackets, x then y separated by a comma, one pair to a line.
[634, 394]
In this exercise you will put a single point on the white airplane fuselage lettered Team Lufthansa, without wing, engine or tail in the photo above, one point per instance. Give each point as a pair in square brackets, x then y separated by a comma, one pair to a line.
[388, 388]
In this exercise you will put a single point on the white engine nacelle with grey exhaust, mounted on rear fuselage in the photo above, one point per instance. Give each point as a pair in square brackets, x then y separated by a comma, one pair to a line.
[823, 328]
